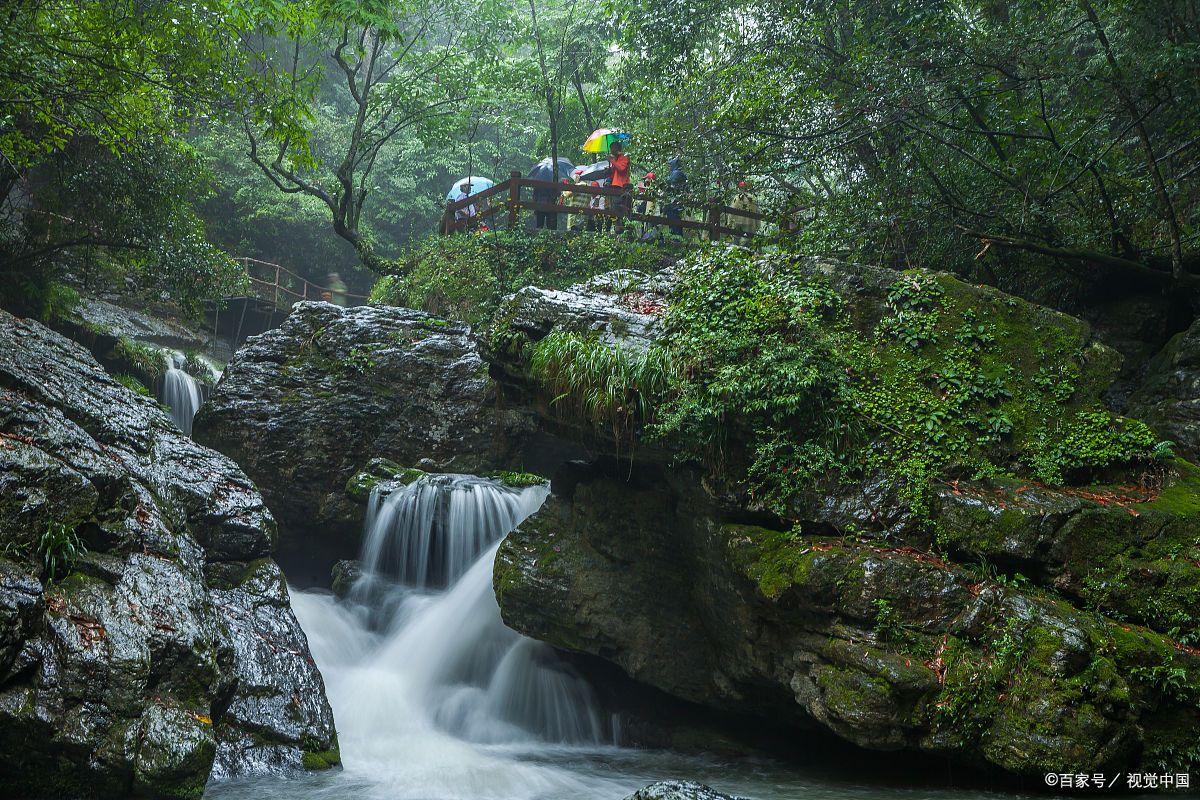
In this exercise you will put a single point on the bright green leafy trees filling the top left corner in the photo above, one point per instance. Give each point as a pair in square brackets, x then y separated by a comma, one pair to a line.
[94, 97]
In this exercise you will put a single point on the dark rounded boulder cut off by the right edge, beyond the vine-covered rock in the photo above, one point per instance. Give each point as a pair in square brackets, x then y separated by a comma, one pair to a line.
[1169, 395]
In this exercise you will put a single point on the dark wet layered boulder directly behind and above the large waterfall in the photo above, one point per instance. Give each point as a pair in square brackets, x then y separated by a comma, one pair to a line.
[305, 407]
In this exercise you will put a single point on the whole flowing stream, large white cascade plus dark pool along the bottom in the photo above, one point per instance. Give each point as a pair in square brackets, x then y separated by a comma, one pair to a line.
[436, 700]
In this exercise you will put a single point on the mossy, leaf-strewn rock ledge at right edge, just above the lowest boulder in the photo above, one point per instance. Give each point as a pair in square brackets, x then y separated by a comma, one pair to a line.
[1127, 551]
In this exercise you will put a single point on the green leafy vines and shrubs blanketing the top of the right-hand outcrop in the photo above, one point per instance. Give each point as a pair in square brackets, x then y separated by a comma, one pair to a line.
[952, 382]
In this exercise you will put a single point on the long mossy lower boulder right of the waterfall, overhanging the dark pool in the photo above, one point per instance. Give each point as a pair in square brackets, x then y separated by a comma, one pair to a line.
[886, 646]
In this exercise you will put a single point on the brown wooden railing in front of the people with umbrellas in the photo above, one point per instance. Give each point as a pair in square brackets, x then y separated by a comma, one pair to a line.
[506, 200]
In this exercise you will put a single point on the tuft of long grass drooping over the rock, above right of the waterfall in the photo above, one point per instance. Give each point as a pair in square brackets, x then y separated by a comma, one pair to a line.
[603, 384]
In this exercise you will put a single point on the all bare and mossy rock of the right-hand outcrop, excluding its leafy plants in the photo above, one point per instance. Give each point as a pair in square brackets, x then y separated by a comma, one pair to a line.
[893, 639]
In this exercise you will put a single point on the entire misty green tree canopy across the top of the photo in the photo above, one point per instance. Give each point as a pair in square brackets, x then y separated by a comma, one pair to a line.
[965, 136]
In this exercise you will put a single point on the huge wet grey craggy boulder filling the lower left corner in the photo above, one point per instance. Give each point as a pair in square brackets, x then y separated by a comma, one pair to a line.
[147, 634]
